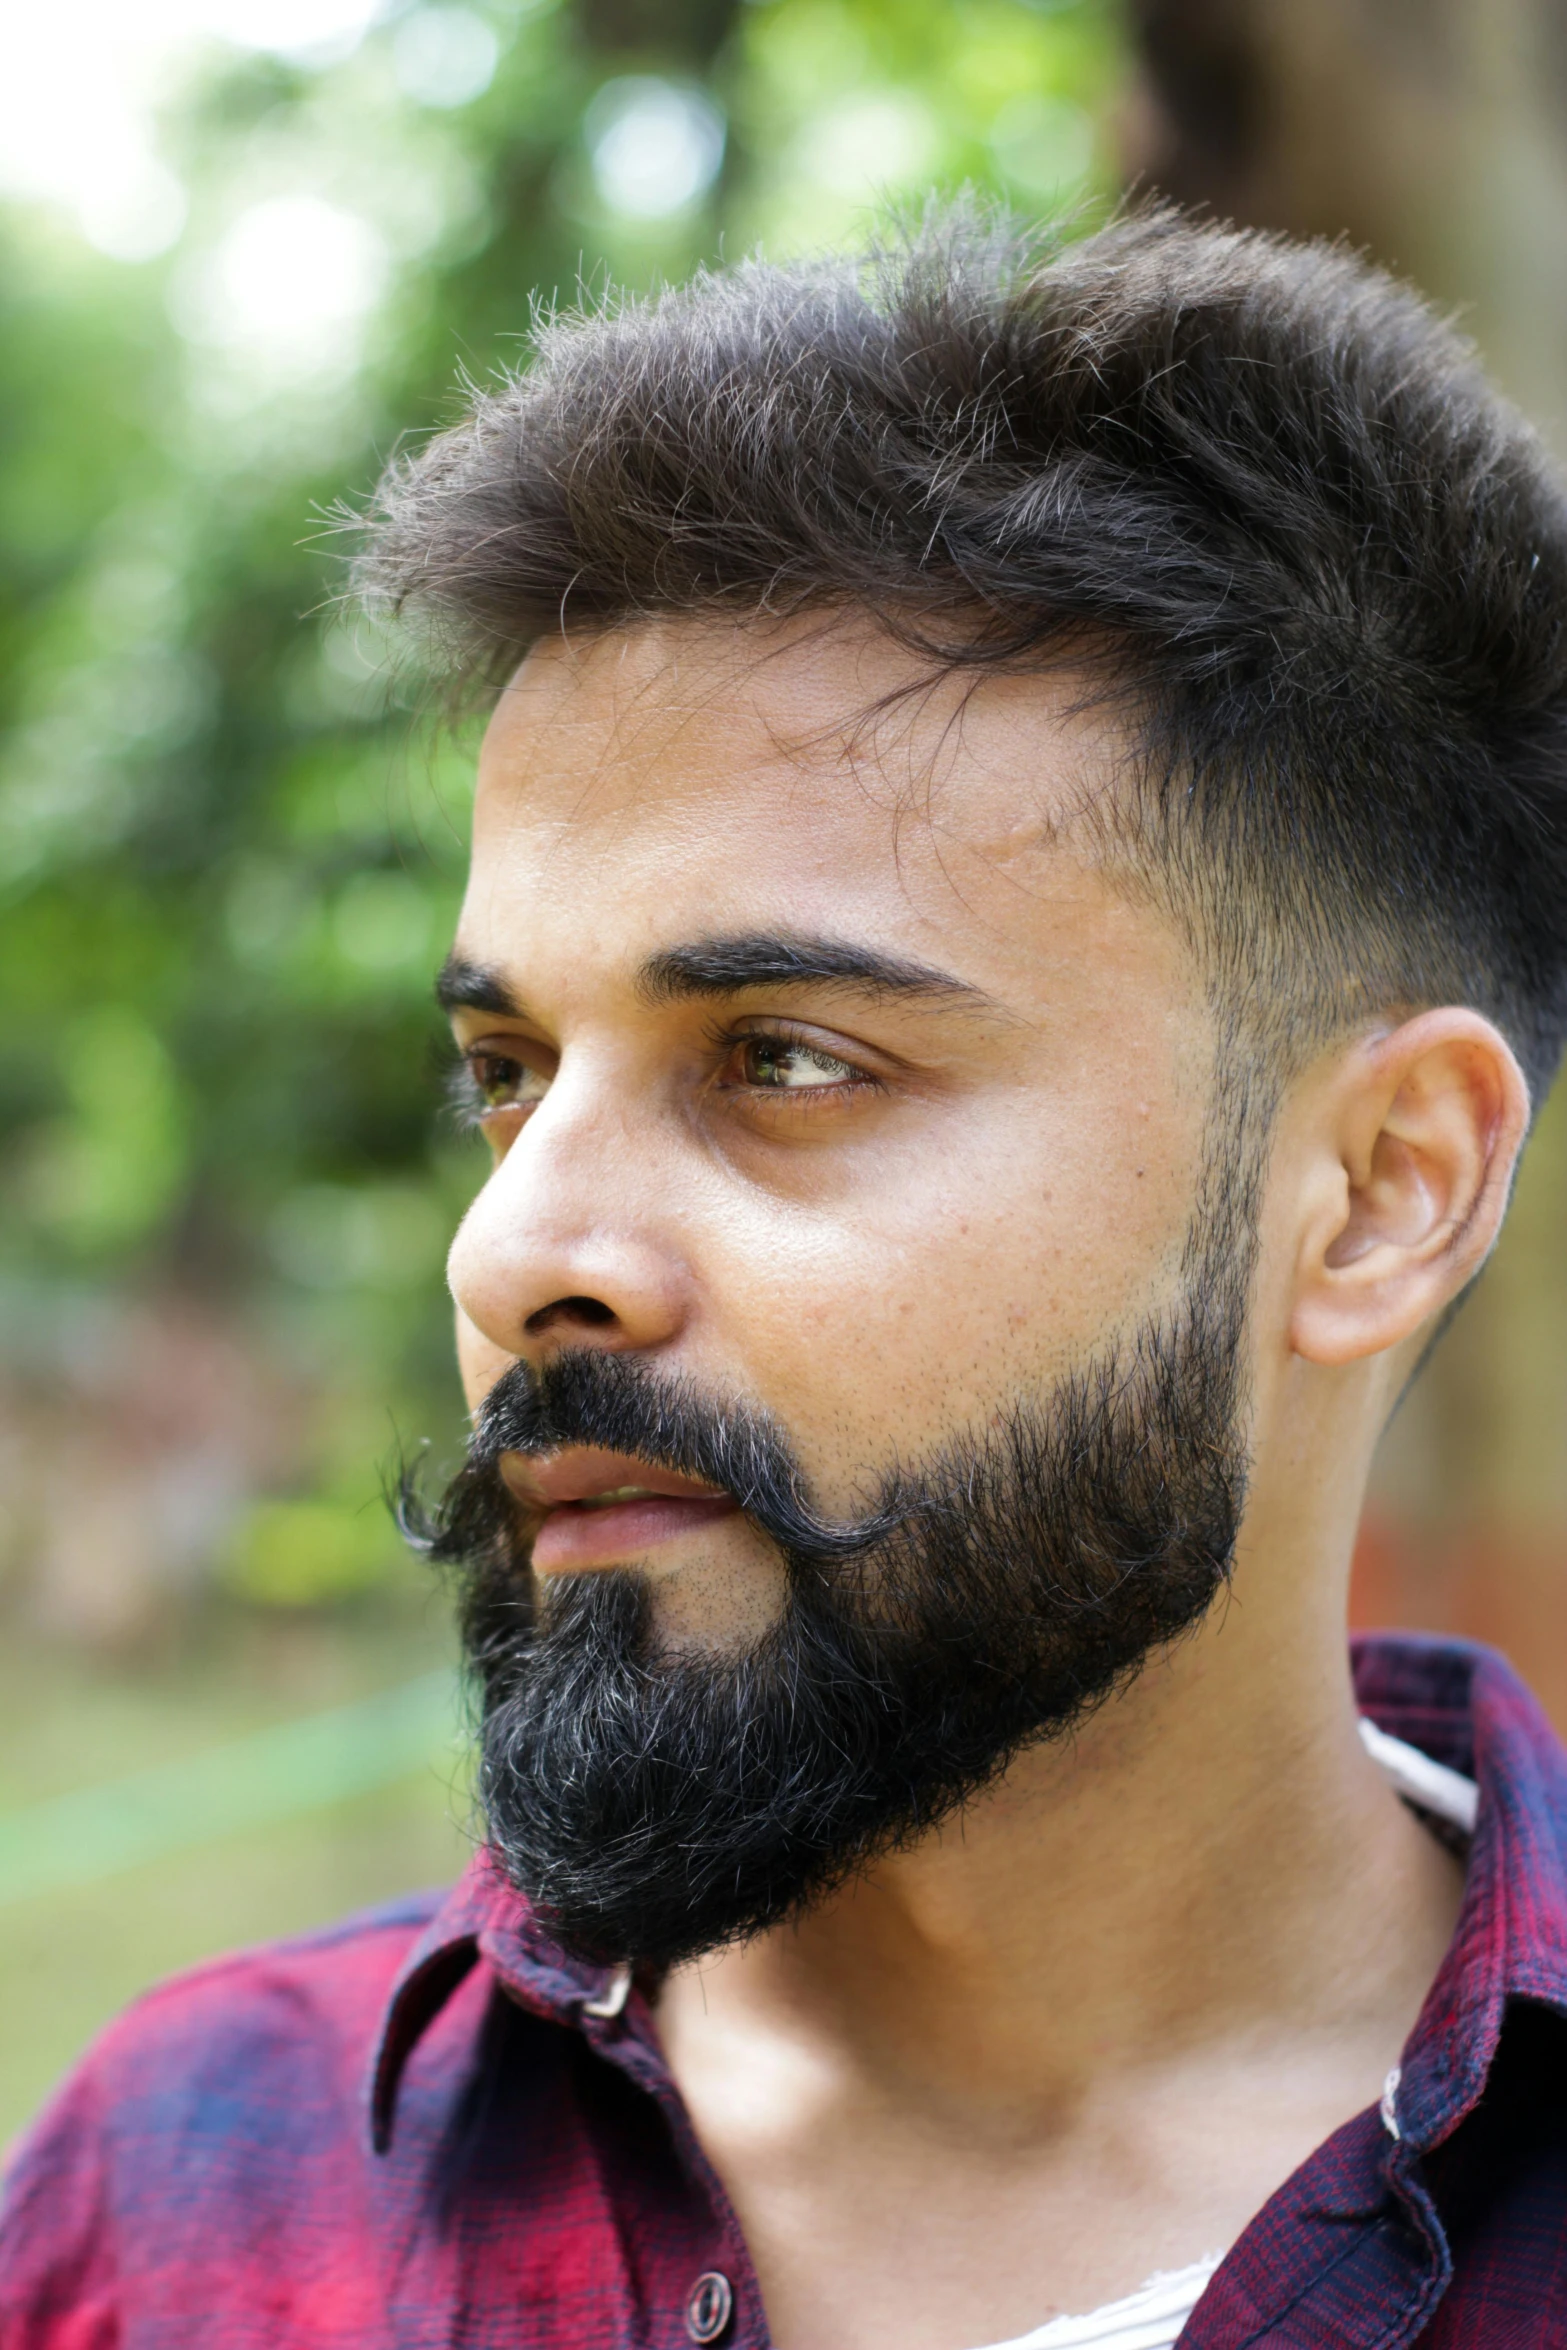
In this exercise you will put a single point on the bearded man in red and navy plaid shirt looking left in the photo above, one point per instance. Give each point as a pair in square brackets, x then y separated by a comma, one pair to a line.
[1018, 915]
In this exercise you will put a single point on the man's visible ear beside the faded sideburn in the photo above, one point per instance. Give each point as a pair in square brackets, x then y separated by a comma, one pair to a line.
[1411, 1181]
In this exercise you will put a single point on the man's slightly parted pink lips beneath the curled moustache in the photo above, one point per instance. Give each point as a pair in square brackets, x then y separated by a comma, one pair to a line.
[605, 1510]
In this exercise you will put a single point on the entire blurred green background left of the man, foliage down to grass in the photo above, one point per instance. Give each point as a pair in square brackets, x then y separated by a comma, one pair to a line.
[229, 866]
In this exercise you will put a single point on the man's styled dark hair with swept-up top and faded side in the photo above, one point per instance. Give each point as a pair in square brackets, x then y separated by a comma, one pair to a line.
[1256, 488]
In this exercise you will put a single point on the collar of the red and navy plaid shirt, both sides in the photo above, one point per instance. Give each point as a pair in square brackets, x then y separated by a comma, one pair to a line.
[1453, 1700]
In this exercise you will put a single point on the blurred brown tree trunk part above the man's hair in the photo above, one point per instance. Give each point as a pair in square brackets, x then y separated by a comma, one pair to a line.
[1434, 133]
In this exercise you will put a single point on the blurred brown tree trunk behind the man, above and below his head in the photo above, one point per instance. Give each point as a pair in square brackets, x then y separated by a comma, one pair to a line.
[1434, 135]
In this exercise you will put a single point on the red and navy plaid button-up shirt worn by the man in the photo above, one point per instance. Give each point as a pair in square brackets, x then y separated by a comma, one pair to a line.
[530, 2177]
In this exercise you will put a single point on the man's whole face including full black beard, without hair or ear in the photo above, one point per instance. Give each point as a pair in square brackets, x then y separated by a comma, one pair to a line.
[856, 1310]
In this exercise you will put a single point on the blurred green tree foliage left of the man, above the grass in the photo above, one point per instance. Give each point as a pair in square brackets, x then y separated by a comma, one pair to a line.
[229, 857]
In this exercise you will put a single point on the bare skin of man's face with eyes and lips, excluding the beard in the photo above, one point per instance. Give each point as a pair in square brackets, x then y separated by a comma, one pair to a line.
[877, 1204]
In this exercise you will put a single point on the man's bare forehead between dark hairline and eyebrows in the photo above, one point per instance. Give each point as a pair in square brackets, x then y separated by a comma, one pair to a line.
[692, 779]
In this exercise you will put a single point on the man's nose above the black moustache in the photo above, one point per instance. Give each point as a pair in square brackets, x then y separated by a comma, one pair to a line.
[572, 1240]
